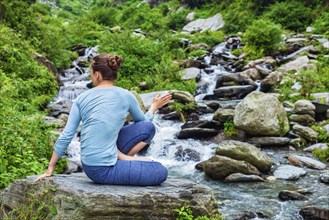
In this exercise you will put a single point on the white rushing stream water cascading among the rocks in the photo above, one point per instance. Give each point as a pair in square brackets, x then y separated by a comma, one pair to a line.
[181, 156]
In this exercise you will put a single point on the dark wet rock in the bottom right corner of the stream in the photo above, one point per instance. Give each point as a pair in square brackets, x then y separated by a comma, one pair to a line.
[314, 213]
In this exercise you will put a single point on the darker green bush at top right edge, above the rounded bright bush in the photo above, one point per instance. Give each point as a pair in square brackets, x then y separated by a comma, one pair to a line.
[292, 15]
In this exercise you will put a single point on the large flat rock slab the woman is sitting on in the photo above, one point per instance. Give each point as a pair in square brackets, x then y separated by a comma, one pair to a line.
[76, 197]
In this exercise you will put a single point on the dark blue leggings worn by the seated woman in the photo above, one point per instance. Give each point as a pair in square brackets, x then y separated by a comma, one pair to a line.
[130, 172]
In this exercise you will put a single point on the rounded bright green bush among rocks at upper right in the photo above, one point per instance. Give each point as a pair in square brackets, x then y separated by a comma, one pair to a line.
[262, 37]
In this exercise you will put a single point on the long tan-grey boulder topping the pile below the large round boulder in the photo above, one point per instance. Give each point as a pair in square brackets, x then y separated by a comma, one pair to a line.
[245, 152]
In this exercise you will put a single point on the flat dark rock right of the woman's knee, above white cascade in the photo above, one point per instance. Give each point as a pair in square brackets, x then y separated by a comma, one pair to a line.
[197, 133]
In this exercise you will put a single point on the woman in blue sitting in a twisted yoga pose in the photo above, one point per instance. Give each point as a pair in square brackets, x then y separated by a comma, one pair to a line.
[108, 148]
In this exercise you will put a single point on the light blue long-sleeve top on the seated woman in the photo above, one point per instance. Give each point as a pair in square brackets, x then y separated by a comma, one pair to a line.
[103, 112]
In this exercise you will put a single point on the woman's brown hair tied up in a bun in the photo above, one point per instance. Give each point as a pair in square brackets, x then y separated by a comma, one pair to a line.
[107, 65]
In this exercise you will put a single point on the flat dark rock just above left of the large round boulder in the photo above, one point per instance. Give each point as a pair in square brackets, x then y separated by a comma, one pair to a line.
[230, 91]
